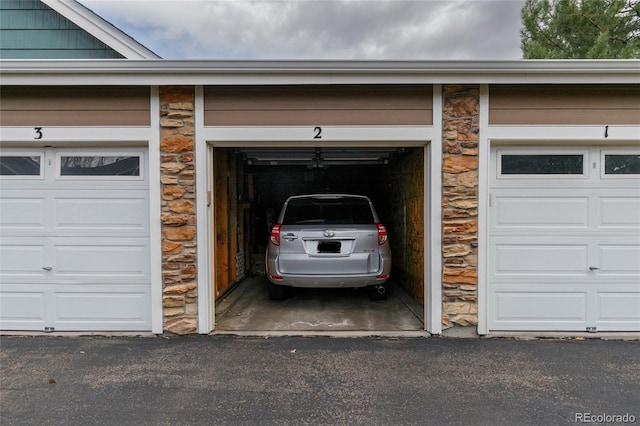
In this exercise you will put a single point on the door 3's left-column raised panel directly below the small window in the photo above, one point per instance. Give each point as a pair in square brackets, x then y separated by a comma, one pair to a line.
[21, 213]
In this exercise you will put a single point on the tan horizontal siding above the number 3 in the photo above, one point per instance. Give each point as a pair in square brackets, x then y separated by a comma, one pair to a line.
[75, 106]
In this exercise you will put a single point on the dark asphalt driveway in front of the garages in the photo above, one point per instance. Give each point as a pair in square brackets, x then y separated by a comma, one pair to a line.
[318, 380]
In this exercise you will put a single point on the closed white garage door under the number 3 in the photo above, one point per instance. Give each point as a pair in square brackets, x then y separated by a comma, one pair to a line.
[74, 249]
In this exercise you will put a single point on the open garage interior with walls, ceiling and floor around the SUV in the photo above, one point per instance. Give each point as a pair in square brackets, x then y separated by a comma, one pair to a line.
[251, 184]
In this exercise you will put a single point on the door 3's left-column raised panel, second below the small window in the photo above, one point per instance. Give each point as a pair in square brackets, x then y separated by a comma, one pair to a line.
[21, 258]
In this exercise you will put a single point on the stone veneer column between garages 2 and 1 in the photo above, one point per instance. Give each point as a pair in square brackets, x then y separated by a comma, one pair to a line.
[460, 204]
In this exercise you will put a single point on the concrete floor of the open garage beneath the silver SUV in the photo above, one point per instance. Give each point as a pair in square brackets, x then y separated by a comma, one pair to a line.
[247, 310]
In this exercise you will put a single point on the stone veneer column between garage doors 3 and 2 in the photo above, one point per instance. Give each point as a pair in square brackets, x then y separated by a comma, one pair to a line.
[177, 174]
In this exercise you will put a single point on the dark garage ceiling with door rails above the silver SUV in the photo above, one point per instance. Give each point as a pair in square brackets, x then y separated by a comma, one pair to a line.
[317, 157]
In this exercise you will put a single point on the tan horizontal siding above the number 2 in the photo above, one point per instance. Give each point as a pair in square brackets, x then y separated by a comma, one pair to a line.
[318, 105]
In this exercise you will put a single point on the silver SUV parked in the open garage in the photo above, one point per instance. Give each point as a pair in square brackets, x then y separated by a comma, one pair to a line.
[328, 240]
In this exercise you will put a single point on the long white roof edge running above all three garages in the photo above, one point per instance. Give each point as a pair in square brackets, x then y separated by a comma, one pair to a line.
[161, 72]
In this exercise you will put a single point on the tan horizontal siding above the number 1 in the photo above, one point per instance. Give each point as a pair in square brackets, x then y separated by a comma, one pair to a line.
[562, 104]
